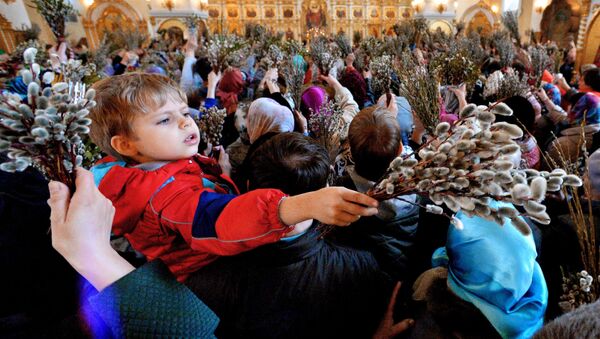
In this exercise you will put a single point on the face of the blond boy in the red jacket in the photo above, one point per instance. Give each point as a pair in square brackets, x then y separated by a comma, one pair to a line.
[167, 134]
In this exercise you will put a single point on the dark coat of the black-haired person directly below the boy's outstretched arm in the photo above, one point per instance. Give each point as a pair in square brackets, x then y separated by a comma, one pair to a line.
[304, 288]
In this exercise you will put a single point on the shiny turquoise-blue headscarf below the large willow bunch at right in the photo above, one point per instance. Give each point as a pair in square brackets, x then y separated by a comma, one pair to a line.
[494, 268]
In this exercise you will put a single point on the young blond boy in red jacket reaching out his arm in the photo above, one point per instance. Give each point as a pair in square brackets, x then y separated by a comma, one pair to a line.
[176, 205]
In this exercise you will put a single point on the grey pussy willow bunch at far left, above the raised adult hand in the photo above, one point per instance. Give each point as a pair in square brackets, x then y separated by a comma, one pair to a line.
[47, 130]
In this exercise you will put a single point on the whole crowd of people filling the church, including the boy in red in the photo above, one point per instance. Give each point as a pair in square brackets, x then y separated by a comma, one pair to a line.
[267, 233]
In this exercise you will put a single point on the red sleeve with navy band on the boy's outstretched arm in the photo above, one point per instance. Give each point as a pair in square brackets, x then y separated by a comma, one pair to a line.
[223, 224]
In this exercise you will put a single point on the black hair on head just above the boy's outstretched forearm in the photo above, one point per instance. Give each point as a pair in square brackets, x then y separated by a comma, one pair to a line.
[290, 162]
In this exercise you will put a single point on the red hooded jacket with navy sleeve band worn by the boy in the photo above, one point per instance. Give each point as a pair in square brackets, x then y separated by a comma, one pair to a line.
[183, 212]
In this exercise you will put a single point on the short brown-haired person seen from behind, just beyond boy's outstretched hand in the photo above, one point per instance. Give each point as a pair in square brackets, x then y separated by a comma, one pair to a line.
[375, 140]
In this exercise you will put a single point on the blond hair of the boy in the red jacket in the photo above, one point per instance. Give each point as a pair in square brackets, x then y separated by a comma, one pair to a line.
[120, 98]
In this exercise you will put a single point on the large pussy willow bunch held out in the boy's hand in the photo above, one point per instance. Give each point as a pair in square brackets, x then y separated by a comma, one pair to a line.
[469, 164]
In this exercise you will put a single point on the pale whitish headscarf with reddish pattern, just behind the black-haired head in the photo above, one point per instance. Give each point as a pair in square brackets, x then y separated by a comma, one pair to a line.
[266, 115]
